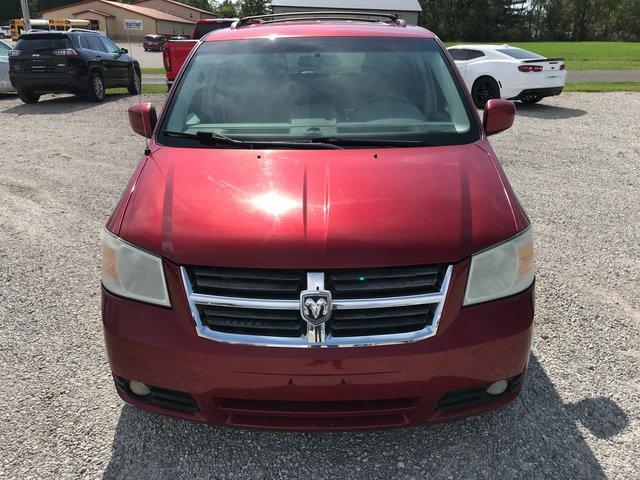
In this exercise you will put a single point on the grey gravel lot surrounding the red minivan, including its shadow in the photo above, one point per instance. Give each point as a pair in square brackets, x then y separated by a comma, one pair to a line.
[574, 161]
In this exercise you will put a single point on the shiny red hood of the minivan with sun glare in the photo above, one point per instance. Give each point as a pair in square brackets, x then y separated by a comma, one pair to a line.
[318, 208]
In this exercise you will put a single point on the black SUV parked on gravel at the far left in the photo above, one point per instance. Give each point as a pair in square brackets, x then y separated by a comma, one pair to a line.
[76, 61]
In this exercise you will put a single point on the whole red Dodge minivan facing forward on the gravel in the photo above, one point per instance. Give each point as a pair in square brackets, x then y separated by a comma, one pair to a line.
[318, 236]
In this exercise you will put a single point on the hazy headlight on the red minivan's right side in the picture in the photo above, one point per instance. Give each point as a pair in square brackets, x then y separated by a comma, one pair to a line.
[500, 271]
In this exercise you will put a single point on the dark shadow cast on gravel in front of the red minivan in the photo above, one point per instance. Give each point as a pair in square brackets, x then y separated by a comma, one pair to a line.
[535, 437]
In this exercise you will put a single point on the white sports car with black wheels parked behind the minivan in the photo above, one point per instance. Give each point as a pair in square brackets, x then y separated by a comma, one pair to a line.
[502, 71]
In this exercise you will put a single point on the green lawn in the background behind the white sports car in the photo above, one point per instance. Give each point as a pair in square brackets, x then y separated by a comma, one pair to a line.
[587, 55]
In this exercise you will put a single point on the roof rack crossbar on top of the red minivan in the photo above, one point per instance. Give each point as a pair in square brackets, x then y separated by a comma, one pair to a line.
[326, 15]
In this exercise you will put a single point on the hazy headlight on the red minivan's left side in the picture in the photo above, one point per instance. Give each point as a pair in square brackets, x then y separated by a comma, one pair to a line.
[130, 272]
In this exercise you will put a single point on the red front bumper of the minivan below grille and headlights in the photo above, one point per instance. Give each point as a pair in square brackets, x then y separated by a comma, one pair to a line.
[436, 379]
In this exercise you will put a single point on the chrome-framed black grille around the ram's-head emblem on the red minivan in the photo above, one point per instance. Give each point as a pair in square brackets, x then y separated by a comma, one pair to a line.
[371, 306]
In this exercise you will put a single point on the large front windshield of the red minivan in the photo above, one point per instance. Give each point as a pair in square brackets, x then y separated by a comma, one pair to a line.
[350, 89]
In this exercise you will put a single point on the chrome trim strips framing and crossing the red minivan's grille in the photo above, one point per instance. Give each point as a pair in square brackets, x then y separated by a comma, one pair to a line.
[303, 341]
